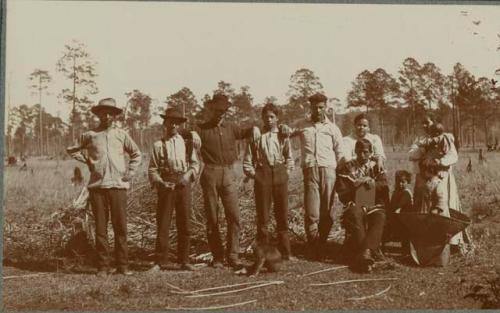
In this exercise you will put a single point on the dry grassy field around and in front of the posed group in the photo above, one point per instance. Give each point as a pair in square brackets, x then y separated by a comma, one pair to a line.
[32, 197]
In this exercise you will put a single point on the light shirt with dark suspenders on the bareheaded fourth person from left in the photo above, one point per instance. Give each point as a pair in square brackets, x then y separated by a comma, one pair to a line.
[270, 150]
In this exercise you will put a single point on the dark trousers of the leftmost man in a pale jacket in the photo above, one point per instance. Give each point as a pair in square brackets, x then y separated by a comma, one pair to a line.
[106, 202]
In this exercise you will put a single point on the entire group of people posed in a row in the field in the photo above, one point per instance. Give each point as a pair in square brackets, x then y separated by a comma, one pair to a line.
[352, 166]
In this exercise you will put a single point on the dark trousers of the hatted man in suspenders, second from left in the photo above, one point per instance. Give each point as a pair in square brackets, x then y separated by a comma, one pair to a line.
[179, 200]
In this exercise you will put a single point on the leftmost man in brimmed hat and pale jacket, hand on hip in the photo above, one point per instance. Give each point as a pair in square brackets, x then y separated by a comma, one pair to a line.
[110, 177]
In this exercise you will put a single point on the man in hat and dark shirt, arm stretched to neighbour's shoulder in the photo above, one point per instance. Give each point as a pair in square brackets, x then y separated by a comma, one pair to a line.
[219, 178]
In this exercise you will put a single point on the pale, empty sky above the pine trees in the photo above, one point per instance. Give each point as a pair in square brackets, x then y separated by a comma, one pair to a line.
[160, 47]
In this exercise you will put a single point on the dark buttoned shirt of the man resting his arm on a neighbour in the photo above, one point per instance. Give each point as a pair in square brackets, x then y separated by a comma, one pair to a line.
[219, 142]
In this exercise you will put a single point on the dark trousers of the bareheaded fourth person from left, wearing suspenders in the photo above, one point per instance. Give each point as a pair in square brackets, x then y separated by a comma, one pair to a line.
[271, 185]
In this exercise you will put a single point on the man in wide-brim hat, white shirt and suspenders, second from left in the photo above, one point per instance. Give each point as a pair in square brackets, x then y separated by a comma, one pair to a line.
[172, 168]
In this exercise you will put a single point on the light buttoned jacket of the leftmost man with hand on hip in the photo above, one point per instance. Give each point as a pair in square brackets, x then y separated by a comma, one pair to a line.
[105, 157]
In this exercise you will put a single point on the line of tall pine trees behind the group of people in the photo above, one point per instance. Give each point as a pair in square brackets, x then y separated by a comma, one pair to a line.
[395, 103]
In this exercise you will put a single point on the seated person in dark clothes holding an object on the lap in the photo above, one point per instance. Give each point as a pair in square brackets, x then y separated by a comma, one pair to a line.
[362, 189]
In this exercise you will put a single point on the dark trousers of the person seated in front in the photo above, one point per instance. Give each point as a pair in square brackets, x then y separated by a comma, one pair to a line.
[363, 230]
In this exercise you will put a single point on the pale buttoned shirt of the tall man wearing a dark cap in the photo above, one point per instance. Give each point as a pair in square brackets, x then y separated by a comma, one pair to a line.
[321, 144]
